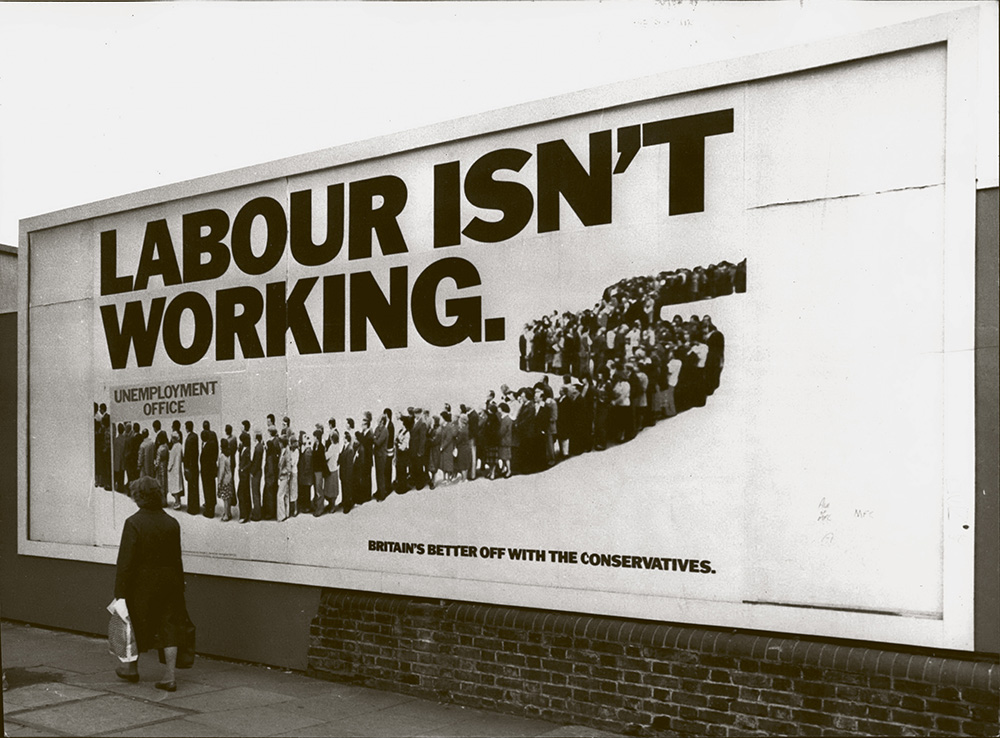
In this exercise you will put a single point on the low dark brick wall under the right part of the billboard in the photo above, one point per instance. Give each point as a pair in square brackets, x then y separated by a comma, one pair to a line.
[647, 678]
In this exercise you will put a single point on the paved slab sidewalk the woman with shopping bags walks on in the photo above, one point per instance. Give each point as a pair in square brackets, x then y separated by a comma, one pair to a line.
[63, 684]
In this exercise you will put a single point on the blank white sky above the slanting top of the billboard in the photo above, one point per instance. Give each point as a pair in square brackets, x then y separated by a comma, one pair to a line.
[105, 99]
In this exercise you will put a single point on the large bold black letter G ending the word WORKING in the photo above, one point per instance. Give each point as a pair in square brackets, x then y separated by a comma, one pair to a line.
[467, 311]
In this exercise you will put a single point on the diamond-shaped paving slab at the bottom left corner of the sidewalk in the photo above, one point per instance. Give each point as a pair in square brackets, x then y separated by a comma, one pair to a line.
[102, 714]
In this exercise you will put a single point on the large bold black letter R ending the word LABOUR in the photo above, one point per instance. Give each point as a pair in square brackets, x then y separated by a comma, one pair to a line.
[366, 218]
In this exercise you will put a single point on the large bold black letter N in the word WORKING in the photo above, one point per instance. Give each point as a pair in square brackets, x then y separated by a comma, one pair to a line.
[369, 305]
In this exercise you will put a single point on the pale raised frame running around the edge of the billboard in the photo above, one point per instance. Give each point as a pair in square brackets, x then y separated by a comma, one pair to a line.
[957, 31]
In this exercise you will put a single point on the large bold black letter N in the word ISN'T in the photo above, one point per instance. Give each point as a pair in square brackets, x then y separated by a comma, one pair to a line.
[560, 173]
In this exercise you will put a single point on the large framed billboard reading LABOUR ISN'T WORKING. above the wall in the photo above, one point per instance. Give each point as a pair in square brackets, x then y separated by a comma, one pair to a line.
[689, 350]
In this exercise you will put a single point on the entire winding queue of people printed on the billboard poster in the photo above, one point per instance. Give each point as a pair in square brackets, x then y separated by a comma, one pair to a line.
[621, 367]
